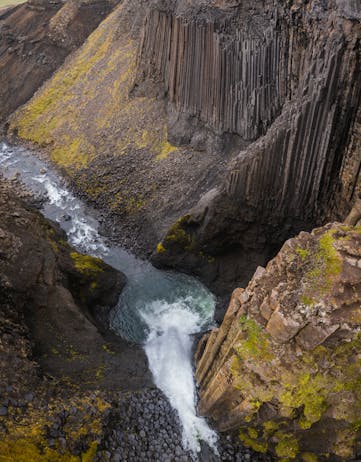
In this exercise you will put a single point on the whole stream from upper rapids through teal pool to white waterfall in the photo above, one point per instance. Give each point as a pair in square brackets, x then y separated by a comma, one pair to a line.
[159, 309]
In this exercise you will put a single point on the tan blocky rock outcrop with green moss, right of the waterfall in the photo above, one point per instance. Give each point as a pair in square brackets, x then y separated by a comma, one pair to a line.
[283, 369]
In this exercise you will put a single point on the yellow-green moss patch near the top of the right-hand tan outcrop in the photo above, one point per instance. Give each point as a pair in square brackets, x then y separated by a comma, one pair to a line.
[325, 266]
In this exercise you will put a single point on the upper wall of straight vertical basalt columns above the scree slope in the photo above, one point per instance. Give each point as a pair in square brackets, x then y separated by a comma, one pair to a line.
[234, 79]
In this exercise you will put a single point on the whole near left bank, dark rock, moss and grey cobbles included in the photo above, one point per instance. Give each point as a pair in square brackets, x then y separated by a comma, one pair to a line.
[70, 391]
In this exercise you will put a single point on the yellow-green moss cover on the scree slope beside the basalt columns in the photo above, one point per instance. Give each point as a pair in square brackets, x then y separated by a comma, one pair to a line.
[98, 79]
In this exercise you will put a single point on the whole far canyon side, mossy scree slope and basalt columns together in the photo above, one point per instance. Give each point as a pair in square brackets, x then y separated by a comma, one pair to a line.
[229, 124]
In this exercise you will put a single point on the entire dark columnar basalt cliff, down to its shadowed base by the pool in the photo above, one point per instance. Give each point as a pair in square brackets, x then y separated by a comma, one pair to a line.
[287, 77]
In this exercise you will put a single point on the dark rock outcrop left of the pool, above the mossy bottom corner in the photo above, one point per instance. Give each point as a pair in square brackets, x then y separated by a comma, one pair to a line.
[63, 297]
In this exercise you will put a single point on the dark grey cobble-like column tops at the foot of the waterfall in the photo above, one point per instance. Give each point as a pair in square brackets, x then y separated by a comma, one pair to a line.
[143, 427]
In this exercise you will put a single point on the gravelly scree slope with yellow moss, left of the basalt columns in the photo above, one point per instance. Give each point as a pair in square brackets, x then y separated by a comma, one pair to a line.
[120, 156]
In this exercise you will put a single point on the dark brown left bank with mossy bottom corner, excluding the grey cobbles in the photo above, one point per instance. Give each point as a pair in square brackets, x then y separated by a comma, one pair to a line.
[58, 372]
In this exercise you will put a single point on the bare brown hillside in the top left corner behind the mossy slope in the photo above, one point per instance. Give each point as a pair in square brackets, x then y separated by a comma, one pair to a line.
[35, 39]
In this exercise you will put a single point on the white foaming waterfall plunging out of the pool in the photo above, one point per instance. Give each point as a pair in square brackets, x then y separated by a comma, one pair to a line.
[168, 348]
